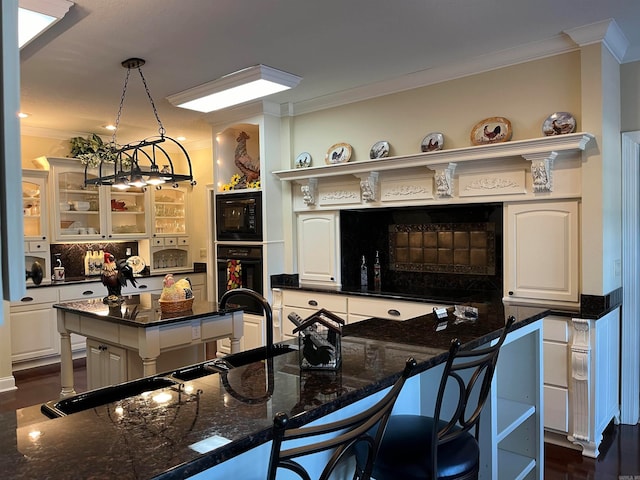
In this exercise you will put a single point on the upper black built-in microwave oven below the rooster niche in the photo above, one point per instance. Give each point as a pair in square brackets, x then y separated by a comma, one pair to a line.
[239, 216]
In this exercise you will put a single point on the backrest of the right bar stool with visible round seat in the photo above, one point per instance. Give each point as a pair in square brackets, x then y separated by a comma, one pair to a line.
[472, 373]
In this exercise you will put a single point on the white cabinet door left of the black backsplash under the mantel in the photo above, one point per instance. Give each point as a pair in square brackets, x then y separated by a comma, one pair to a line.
[319, 248]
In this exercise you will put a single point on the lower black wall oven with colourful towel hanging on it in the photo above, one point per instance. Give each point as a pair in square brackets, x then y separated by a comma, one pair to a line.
[240, 266]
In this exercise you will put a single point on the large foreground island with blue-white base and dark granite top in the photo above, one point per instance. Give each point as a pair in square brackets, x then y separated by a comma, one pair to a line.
[218, 425]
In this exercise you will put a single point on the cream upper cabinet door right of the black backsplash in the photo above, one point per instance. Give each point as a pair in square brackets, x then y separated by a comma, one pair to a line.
[542, 252]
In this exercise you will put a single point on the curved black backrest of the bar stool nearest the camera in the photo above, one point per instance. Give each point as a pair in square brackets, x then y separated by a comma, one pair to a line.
[357, 429]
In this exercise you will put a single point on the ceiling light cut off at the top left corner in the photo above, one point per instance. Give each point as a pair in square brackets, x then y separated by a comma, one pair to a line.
[35, 16]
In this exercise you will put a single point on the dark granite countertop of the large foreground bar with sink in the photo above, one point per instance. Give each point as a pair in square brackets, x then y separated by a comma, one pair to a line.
[142, 437]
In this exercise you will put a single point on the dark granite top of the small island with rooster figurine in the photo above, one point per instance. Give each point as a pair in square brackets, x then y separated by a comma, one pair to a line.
[146, 307]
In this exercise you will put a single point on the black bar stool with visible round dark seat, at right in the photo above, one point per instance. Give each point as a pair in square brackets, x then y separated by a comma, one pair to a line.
[416, 447]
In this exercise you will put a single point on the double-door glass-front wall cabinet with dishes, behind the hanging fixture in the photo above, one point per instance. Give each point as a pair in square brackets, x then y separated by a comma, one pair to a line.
[90, 212]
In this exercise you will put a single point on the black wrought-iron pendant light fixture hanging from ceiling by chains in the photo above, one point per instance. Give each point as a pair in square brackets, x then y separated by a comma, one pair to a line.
[142, 163]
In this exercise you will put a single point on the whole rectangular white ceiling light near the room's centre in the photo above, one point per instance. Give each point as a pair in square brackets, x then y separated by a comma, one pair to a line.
[238, 87]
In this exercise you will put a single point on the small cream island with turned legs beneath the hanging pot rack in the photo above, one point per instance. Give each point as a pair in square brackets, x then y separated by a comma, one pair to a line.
[140, 327]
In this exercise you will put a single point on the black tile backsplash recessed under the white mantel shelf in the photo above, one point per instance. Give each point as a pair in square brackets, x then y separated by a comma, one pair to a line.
[363, 232]
